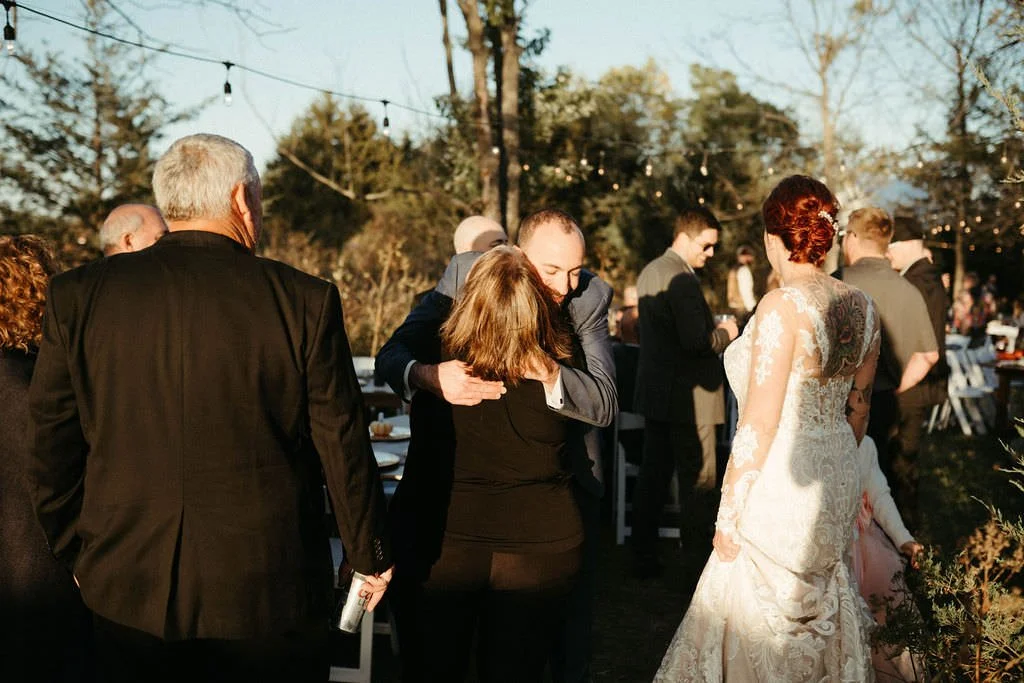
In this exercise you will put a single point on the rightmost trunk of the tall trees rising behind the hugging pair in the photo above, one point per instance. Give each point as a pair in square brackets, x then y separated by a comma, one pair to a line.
[510, 120]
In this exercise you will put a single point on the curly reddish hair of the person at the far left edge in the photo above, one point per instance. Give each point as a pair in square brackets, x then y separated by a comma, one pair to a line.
[27, 264]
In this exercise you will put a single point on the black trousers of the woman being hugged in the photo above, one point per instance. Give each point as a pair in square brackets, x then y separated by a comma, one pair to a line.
[514, 605]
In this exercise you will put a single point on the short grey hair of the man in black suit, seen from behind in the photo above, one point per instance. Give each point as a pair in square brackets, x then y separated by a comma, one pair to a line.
[195, 178]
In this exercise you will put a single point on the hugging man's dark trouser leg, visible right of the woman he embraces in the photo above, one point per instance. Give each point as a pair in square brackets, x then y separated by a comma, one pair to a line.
[571, 660]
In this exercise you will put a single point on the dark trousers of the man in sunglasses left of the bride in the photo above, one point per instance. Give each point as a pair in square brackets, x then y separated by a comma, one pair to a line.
[668, 447]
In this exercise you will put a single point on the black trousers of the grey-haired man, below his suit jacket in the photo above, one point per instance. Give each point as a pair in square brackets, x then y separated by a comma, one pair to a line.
[129, 656]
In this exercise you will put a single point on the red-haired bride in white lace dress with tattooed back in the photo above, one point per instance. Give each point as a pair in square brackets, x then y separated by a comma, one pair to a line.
[777, 601]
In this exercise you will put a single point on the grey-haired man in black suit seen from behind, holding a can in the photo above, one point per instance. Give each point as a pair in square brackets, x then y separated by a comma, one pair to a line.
[185, 402]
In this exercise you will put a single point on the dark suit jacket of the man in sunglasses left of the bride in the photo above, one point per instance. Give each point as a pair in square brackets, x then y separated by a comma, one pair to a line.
[680, 375]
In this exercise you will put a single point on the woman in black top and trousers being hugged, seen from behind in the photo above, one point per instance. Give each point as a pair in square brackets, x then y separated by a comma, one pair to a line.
[511, 544]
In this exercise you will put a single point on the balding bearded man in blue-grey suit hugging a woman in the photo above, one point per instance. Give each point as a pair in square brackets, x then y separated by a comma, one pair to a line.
[411, 363]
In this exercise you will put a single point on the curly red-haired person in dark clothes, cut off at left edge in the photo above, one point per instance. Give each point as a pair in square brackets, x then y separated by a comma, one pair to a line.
[46, 628]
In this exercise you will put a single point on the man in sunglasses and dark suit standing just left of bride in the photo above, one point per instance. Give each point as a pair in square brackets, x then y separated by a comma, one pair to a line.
[679, 385]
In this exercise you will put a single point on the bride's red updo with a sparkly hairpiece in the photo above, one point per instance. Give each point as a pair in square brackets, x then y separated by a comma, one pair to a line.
[802, 212]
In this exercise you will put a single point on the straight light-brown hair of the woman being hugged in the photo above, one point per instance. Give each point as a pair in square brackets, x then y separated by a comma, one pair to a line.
[505, 319]
